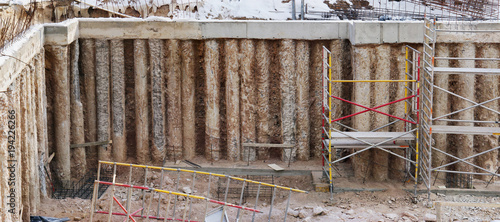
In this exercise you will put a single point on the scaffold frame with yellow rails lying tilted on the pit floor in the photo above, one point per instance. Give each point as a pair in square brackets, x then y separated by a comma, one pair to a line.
[147, 191]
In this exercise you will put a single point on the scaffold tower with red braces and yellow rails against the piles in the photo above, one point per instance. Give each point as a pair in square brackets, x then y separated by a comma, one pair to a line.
[362, 141]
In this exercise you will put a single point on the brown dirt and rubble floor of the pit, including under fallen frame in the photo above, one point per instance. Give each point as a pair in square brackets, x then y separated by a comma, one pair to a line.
[393, 204]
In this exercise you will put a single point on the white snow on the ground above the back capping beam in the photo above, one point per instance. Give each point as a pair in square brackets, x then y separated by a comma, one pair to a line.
[252, 9]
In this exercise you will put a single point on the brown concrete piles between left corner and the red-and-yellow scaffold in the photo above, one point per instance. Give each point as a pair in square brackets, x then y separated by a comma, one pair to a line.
[156, 98]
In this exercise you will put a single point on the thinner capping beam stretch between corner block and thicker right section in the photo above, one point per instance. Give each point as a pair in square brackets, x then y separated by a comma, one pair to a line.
[167, 29]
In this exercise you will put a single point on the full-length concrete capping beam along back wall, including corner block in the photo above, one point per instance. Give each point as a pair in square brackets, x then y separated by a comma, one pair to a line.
[358, 32]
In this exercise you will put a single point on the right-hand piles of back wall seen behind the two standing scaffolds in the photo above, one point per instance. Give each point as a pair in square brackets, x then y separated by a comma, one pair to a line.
[387, 62]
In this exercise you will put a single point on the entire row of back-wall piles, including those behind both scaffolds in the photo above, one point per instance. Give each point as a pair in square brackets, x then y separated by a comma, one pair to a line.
[182, 98]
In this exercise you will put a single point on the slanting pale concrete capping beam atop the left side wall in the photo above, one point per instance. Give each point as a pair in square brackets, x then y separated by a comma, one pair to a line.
[17, 56]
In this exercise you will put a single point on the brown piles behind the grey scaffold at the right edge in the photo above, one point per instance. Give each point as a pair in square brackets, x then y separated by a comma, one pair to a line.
[476, 88]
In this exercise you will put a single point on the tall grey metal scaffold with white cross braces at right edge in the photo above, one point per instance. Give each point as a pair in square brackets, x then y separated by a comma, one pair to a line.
[430, 124]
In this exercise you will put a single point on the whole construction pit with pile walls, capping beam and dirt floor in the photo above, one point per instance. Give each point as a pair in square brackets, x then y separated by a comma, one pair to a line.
[232, 97]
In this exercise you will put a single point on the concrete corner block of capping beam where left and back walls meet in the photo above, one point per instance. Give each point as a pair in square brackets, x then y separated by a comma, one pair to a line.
[63, 33]
